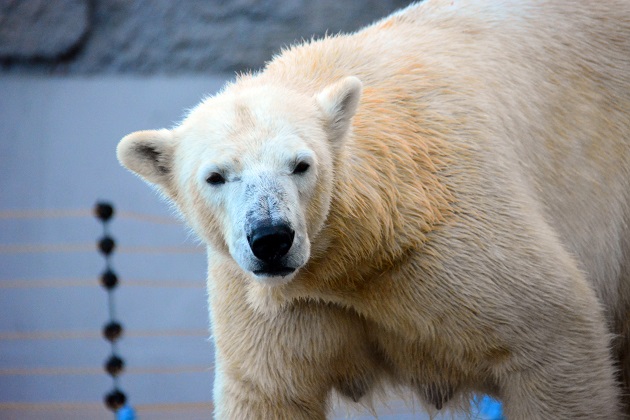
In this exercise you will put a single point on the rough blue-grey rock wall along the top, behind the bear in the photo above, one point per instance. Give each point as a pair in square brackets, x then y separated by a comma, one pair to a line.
[166, 36]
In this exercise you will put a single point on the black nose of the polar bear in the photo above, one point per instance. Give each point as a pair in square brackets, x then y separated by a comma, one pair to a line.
[269, 243]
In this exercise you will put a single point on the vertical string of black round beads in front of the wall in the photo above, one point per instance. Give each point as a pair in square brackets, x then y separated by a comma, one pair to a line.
[112, 331]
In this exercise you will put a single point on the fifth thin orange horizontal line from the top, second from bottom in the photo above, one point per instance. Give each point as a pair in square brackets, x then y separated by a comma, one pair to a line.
[86, 371]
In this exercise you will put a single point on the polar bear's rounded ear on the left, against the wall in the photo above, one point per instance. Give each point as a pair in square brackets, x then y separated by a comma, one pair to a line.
[149, 154]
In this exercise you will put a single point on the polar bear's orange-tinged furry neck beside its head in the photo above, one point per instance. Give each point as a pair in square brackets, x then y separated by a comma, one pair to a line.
[389, 195]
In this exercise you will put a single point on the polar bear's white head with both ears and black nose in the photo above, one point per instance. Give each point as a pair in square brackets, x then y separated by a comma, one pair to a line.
[251, 170]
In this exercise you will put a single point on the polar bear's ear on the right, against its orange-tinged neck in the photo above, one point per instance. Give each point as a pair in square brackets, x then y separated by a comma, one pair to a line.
[339, 102]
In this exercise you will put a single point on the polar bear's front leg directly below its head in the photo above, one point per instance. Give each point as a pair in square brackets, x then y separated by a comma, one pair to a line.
[282, 365]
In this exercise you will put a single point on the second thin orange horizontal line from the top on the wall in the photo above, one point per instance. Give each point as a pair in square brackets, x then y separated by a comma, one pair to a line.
[92, 247]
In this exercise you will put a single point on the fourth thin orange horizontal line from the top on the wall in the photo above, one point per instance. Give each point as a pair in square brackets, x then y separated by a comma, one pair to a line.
[89, 334]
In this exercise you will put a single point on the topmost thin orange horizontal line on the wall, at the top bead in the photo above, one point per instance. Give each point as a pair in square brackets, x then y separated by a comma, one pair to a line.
[82, 213]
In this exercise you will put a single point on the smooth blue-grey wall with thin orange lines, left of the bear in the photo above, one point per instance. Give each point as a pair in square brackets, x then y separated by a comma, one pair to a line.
[57, 158]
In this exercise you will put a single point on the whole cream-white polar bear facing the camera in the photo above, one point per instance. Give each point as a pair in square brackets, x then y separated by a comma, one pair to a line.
[438, 202]
